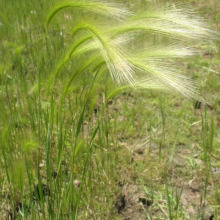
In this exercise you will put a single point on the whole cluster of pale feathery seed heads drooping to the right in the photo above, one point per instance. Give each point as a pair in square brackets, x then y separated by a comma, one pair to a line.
[145, 67]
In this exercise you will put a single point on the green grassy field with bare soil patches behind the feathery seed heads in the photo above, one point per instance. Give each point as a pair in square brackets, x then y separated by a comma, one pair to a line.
[76, 146]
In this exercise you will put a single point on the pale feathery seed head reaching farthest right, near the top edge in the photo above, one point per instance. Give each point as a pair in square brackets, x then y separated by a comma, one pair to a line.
[173, 22]
